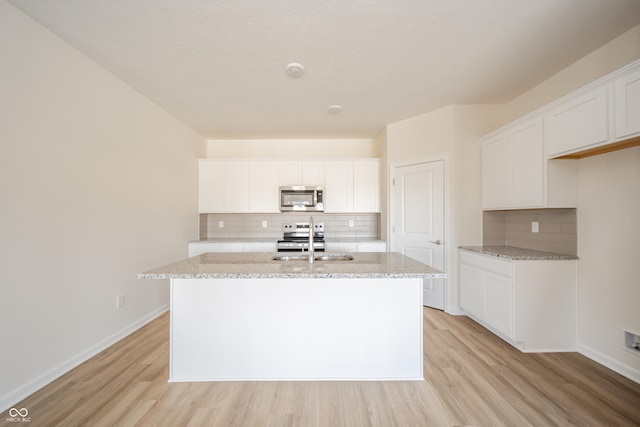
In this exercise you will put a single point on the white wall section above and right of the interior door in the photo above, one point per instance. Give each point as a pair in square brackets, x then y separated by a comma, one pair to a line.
[451, 133]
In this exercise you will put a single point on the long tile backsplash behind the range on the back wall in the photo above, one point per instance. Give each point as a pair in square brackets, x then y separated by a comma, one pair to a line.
[250, 225]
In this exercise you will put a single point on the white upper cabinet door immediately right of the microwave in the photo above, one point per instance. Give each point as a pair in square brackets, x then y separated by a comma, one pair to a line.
[338, 186]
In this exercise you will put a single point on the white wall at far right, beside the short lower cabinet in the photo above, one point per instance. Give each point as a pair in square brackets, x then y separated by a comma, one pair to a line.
[608, 268]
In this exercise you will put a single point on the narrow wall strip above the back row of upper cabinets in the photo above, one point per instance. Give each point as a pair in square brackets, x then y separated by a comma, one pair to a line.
[288, 148]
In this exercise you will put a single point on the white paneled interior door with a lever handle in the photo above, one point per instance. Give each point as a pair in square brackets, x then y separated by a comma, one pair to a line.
[418, 221]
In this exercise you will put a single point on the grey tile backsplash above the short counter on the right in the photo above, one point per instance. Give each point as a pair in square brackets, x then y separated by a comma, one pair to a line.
[557, 229]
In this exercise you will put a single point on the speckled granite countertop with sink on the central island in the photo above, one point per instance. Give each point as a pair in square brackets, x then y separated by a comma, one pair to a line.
[257, 265]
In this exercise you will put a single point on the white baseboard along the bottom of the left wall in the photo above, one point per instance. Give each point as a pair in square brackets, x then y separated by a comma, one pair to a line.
[10, 399]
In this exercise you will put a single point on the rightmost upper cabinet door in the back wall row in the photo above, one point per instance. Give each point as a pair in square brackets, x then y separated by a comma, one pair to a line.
[366, 186]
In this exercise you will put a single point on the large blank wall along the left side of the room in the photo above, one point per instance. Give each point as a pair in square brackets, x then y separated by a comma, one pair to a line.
[97, 184]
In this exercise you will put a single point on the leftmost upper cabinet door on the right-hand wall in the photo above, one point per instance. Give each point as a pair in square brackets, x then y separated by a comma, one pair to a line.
[496, 172]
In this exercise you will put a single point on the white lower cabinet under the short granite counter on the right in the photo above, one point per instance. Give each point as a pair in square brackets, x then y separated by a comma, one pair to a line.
[530, 304]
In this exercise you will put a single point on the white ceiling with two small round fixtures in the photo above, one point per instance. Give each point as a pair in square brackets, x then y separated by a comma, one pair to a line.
[219, 66]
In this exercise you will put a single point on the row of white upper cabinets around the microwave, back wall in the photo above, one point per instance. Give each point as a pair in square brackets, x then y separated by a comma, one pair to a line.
[252, 185]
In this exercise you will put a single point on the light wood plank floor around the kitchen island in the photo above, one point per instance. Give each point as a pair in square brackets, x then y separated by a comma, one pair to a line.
[471, 378]
